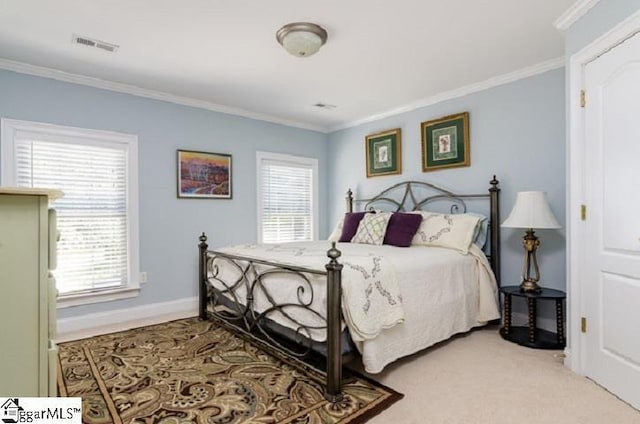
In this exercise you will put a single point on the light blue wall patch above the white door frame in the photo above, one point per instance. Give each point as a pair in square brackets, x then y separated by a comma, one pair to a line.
[600, 19]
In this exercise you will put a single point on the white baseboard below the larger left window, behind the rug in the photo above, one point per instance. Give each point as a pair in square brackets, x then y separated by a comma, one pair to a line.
[90, 325]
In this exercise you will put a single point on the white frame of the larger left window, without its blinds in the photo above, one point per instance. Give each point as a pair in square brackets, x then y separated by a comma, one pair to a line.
[12, 129]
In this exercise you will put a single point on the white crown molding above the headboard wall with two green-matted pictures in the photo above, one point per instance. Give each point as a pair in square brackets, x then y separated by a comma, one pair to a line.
[462, 91]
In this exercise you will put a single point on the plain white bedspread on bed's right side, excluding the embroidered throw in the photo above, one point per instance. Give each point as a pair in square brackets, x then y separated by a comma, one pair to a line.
[445, 293]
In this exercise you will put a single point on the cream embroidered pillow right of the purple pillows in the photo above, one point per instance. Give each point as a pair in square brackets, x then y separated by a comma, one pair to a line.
[446, 230]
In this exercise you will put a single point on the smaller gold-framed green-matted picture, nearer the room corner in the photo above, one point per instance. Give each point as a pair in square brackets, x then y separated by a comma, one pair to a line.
[384, 153]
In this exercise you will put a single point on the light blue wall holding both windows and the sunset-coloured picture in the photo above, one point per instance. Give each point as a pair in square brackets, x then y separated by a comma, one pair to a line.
[169, 227]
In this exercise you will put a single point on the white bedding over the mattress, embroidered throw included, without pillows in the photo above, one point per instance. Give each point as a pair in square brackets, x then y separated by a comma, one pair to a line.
[396, 301]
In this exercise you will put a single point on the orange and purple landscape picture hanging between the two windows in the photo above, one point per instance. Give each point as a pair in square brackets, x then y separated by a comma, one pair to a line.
[204, 175]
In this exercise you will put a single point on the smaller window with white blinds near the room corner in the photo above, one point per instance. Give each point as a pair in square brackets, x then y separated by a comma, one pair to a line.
[287, 198]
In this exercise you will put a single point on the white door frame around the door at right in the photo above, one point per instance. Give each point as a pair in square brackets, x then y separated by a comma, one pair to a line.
[575, 355]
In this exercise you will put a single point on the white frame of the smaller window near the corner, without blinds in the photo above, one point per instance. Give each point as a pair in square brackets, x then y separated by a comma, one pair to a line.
[284, 159]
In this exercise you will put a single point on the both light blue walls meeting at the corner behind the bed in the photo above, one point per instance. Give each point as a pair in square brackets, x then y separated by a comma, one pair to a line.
[517, 133]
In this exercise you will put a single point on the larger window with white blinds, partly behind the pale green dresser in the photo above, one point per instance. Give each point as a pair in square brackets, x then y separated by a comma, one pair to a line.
[97, 217]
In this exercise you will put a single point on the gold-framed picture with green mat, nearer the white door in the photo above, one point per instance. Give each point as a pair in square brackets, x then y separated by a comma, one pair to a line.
[445, 142]
